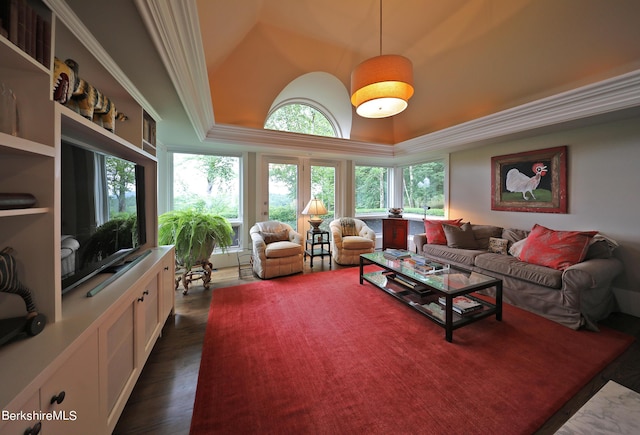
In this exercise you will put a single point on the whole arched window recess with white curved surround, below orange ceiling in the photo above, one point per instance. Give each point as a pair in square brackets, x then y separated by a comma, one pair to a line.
[318, 101]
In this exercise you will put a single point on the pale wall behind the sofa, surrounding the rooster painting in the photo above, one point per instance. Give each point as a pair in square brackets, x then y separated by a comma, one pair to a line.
[603, 191]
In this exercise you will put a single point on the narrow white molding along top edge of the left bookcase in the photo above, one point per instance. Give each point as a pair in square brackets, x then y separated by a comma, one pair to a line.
[66, 15]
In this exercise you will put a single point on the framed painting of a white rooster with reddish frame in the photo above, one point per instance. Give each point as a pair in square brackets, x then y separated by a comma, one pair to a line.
[533, 181]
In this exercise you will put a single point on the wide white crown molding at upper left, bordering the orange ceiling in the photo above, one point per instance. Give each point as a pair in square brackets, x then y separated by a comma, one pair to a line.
[175, 30]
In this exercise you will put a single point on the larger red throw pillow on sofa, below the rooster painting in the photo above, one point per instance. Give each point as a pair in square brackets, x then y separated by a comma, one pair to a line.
[556, 249]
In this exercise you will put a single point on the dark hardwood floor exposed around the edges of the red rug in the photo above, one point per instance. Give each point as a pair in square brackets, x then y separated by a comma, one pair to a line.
[162, 401]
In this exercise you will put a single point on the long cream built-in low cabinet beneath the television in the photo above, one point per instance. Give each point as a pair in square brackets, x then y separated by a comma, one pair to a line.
[91, 360]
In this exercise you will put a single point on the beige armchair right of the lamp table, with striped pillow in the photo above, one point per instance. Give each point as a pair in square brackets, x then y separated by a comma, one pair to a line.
[350, 238]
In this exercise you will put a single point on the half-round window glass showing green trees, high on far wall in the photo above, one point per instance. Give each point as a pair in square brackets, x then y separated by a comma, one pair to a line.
[300, 118]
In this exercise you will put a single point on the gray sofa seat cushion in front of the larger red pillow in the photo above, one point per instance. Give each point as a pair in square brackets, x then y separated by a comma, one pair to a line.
[508, 265]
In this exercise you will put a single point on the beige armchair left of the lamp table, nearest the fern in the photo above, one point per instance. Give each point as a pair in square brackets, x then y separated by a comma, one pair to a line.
[277, 249]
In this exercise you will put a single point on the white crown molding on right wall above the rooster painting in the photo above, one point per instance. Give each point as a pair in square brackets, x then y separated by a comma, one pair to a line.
[605, 97]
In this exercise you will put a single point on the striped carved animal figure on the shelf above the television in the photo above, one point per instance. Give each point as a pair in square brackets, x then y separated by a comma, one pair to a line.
[72, 91]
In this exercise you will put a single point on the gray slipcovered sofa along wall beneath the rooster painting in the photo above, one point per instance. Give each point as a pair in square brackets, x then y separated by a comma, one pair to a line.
[578, 296]
